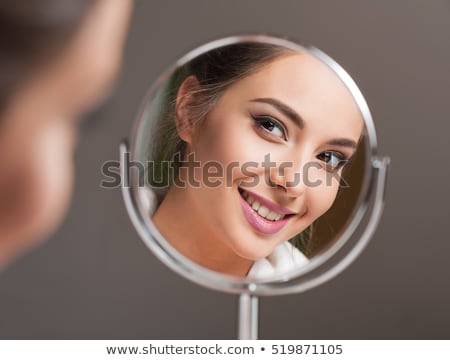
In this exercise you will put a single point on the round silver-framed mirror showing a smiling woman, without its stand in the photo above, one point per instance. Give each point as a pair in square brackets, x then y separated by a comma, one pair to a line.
[251, 166]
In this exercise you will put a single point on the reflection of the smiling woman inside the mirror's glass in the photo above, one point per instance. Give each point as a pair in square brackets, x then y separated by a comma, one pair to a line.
[255, 158]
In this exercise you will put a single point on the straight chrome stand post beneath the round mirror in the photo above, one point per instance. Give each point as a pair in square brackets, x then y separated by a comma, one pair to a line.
[248, 317]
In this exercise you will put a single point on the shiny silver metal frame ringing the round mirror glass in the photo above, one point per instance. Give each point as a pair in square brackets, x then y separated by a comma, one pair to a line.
[322, 267]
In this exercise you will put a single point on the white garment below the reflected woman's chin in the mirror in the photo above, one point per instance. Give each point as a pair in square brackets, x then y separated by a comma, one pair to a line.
[284, 258]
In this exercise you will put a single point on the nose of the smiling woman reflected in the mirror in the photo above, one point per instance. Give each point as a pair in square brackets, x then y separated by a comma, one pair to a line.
[287, 177]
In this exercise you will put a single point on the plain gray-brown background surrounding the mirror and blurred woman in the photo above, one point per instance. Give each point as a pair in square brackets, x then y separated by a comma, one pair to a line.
[95, 278]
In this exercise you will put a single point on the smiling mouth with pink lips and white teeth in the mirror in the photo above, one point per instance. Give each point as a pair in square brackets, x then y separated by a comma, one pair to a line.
[263, 215]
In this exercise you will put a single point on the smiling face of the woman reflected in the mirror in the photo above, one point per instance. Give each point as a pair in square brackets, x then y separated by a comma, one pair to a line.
[281, 136]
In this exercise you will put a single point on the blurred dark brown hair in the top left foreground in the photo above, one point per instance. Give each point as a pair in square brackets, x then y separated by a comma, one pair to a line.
[31, 32]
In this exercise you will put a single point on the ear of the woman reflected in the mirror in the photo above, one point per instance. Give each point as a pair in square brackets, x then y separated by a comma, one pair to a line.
[186, 96]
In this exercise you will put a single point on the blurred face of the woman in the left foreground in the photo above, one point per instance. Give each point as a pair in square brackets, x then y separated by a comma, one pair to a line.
[39, 127]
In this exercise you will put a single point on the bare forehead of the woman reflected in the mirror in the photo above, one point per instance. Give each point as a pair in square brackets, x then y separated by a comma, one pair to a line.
[306, 85]
